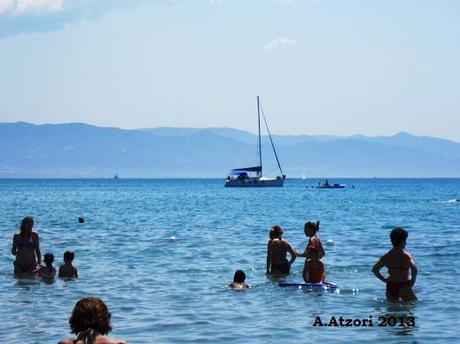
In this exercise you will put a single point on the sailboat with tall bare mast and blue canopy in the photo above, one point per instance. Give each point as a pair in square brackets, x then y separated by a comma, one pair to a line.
[252, 176]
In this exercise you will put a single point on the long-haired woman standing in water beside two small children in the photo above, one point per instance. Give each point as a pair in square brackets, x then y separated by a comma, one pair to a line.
[26, 248]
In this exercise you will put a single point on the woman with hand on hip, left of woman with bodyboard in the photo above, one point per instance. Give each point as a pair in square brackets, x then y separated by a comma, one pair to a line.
[277, 251]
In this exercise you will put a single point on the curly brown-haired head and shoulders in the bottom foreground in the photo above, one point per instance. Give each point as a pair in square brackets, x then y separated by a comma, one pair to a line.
[90, 321]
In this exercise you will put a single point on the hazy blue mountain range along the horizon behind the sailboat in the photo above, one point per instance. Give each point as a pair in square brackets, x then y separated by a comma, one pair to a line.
[77, 150]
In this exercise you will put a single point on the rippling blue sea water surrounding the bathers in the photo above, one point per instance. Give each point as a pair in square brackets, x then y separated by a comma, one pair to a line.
[170, 291]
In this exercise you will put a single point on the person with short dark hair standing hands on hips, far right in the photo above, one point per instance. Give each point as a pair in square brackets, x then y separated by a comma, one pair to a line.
[398, 262]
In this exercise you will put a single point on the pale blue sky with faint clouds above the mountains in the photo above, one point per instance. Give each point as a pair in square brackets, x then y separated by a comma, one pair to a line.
[320, 67]
